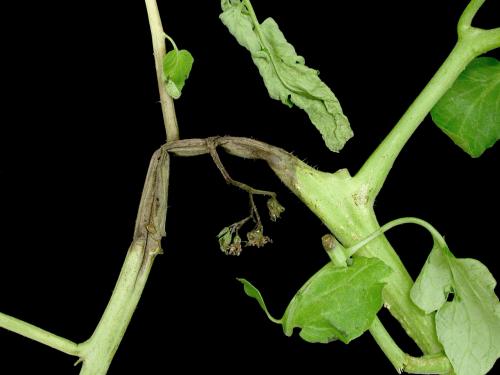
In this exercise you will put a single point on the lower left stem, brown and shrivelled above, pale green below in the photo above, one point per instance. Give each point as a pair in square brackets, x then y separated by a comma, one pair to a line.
[98, 352]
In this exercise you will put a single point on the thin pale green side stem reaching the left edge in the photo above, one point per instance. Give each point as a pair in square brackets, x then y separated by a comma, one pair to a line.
[32, 332]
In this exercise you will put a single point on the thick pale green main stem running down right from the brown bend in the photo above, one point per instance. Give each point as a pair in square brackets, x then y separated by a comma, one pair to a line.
[342, 206]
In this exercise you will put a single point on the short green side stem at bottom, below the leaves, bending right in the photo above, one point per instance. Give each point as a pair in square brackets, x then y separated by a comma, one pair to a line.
[427, 364]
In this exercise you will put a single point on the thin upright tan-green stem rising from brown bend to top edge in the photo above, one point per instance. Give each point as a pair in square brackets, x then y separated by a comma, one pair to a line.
[159, 50]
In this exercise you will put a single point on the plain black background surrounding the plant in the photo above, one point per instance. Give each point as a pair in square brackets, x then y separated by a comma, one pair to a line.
[80, 120]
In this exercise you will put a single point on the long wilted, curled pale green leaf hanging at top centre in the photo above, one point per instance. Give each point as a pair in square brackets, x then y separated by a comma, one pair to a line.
[285, 75]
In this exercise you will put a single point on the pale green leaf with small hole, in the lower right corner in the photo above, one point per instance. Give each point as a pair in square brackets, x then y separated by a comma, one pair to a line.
[469, 325]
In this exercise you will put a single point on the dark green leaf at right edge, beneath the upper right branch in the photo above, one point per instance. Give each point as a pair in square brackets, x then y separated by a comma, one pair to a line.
[469, 113]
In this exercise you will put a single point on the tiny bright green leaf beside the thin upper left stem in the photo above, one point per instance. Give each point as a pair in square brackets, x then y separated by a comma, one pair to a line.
[177, 65]
